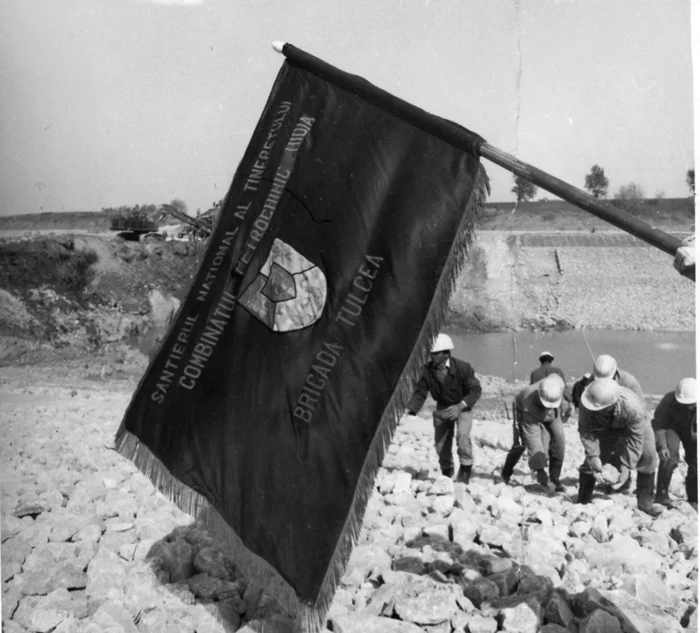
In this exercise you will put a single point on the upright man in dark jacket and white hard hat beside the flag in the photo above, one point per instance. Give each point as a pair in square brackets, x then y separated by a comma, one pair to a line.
[456, 389]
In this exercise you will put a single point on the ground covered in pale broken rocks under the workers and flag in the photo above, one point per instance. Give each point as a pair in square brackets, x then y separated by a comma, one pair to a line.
[89, 546]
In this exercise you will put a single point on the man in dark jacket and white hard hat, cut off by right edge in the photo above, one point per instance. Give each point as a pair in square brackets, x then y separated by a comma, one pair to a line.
[676, 422]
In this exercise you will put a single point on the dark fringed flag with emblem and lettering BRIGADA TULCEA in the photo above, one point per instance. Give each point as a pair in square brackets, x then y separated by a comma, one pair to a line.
[269, 406]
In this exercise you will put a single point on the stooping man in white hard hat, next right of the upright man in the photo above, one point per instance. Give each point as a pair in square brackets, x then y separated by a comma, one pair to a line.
[538, 429]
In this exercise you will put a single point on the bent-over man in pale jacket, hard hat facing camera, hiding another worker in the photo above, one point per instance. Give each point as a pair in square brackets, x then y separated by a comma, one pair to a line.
[615, 429]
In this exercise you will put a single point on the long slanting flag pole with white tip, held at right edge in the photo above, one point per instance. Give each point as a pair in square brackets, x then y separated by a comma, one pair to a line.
[464, 138]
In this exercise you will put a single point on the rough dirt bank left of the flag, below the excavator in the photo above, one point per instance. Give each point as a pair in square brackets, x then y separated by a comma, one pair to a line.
[80, 294]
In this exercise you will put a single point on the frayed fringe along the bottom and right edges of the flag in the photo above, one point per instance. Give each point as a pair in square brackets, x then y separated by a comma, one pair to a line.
[310, 617]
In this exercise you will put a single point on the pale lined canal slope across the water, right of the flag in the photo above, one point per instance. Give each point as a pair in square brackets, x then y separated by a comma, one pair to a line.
[509, 285]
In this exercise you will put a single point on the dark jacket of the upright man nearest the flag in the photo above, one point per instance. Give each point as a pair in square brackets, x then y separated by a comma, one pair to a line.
[460, 384]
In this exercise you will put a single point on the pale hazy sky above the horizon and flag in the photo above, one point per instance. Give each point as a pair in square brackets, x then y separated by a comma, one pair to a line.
[111, 102]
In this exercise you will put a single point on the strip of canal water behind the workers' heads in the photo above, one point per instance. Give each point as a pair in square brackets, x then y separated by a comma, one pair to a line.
[657, 359]
